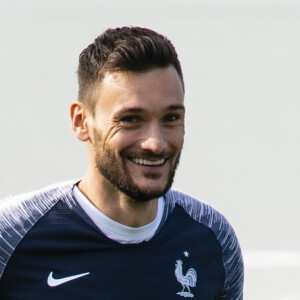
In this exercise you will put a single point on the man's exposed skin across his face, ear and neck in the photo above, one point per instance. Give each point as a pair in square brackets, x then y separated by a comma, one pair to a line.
[137, 115]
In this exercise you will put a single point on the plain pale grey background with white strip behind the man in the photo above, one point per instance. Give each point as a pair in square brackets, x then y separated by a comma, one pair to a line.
[241, 65]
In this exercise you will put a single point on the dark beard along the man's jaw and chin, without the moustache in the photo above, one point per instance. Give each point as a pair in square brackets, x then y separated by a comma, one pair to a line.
[120, 178]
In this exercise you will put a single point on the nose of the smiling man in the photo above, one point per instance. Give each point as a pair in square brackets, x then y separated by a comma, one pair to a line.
[154, 139]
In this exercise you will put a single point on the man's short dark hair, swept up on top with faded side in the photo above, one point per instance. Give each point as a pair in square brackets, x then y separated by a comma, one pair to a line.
[133, 49]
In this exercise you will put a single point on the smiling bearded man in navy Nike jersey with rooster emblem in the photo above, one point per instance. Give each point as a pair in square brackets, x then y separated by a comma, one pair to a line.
[120, 232]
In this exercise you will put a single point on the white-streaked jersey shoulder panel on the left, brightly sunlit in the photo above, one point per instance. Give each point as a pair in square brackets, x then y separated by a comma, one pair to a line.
[18, 214]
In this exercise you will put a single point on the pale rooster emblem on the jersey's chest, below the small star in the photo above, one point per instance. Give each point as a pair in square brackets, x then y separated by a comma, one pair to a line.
[188, 280]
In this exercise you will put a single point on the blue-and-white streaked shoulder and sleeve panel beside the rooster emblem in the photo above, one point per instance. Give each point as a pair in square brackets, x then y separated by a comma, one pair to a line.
[224, 233]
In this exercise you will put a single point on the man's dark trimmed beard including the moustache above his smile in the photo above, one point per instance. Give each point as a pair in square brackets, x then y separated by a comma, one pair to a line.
[114, 170]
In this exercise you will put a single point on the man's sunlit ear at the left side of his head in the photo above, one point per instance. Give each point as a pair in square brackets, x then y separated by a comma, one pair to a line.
[79, 121]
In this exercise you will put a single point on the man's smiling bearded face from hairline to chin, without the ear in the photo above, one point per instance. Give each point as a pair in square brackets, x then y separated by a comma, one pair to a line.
[138, 131]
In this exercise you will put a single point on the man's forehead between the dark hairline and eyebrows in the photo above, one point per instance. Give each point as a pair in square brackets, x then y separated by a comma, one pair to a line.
[154, 89]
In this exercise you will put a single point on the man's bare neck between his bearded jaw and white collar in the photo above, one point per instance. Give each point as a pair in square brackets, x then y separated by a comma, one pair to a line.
[116, 205]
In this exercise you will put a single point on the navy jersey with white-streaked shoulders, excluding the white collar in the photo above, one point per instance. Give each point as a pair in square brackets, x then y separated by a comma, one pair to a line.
[50, 249]
